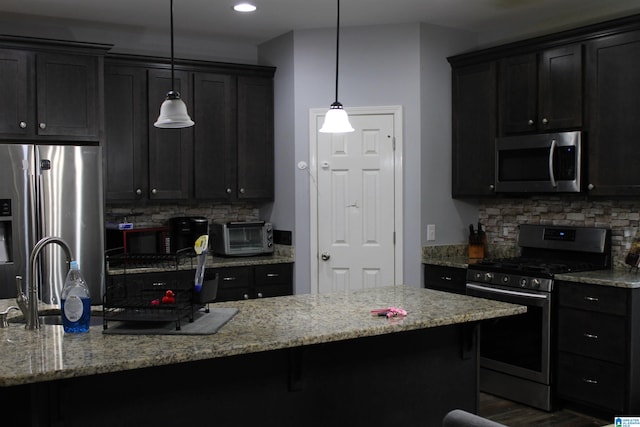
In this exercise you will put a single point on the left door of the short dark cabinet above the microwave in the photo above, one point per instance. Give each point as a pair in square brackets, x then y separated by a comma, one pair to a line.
[518, 93]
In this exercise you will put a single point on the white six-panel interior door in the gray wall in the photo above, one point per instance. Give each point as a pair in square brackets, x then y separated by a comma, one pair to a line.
[356, 204]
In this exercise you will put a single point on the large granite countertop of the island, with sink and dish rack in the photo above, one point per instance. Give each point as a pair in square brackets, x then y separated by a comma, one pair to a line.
[261, 325]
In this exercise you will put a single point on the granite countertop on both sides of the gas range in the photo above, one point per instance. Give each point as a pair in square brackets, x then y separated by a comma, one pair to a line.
[619, 277]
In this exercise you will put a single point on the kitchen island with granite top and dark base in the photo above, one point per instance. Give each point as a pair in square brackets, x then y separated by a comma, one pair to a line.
[294, 360]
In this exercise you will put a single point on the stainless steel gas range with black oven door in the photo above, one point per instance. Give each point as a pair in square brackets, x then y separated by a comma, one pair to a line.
[516, 356]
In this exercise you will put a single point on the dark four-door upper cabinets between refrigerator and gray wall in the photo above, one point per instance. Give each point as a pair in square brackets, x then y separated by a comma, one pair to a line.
[226, 157]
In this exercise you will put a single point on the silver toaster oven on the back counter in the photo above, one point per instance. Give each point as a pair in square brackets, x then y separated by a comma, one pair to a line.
[241, 238]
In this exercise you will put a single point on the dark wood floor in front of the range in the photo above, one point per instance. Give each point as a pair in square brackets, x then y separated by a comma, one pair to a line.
[515, 415]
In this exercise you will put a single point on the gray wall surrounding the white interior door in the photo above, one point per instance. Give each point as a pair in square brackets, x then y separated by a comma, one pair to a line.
[382, 65]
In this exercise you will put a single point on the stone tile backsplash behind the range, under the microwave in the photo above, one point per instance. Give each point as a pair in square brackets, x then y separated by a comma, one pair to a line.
[502, 216]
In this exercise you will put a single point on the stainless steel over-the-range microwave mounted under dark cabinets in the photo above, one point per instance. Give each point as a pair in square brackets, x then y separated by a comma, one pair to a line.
[540, 163]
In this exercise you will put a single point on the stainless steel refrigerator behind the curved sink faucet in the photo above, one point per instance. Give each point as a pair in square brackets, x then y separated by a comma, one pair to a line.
[51, 190]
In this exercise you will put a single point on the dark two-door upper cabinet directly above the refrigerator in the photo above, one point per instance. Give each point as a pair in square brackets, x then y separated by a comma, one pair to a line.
[50, 95]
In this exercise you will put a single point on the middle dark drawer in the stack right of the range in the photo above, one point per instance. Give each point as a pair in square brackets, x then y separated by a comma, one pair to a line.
[592, 334]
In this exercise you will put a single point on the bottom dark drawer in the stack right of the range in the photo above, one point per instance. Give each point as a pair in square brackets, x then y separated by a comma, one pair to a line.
[590, 381]
